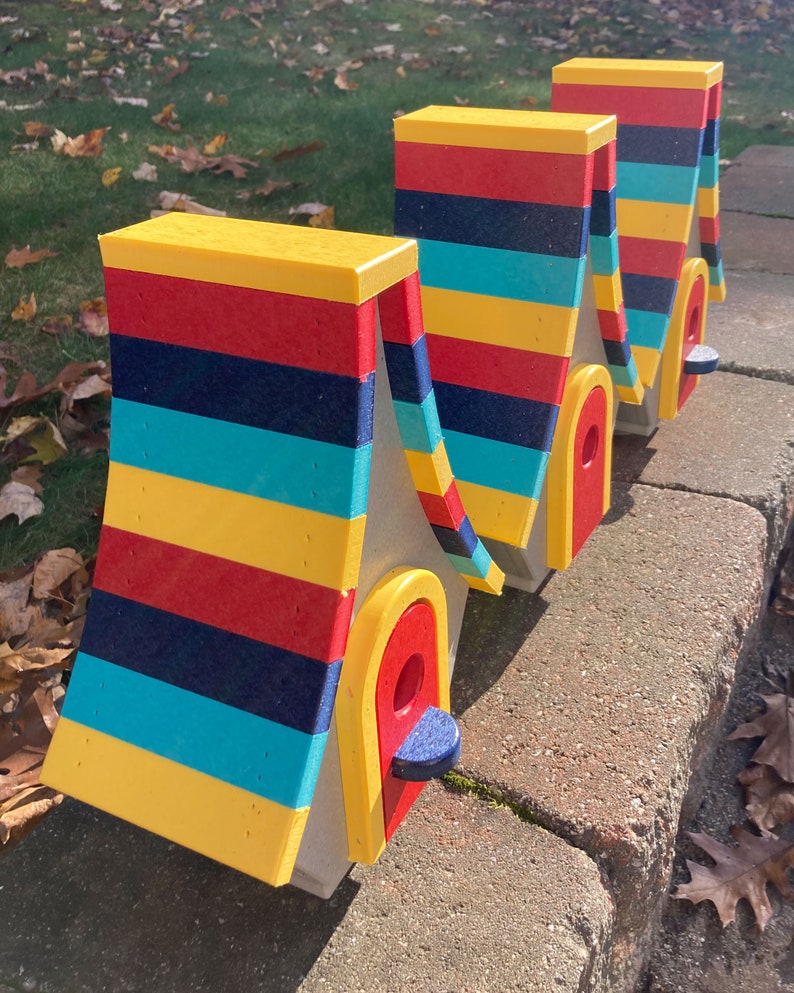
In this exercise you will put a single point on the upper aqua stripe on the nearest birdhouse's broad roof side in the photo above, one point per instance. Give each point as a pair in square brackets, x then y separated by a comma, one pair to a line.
[303, 472]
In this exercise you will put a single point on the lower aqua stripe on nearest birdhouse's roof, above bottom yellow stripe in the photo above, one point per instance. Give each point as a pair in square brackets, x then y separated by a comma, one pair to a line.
[252, 753]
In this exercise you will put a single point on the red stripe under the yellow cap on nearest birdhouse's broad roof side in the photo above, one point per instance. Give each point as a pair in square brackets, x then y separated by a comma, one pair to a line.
[322, 335]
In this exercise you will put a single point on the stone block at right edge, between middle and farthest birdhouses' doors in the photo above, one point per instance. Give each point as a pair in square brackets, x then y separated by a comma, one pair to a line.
[733, 438]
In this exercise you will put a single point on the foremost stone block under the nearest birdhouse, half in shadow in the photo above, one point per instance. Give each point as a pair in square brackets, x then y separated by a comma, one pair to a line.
[466, 898]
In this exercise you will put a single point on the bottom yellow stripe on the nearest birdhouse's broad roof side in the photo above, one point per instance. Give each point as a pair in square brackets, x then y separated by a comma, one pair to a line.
[235, 827]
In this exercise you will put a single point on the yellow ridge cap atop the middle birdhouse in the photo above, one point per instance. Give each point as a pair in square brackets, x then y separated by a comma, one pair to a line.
[518, 130]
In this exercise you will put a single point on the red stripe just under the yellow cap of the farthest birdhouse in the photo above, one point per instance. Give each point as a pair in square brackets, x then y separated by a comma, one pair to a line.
[649, 105]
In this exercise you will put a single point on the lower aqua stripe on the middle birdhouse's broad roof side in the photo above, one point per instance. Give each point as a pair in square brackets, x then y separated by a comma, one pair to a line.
[497, 464]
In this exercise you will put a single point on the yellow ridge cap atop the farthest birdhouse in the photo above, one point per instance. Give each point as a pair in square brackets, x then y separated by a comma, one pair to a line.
[677, 75]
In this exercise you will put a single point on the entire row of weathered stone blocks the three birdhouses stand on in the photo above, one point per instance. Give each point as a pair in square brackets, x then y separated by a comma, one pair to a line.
[588, 704]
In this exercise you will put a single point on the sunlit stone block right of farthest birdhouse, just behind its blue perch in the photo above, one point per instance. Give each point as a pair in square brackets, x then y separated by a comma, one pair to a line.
[754, 329]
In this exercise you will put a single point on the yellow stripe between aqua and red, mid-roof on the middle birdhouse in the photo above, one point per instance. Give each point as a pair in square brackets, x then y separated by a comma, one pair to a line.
[535, 327]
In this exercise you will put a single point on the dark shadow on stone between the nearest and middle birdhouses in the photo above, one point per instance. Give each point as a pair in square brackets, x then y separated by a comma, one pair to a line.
[494, 629]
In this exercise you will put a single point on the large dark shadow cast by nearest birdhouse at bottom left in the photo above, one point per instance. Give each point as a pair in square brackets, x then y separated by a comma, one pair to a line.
[92, 903]
